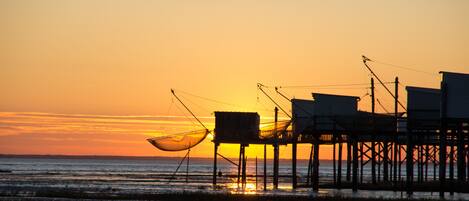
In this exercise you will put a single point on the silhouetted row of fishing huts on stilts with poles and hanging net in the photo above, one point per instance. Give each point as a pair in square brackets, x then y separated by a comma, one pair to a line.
[410, 149]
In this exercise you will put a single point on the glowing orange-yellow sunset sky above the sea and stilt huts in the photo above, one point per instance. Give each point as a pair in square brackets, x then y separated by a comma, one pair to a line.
[94, 77]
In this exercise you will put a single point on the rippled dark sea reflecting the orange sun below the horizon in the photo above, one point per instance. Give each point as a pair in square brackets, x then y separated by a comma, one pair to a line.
[159, 175]
